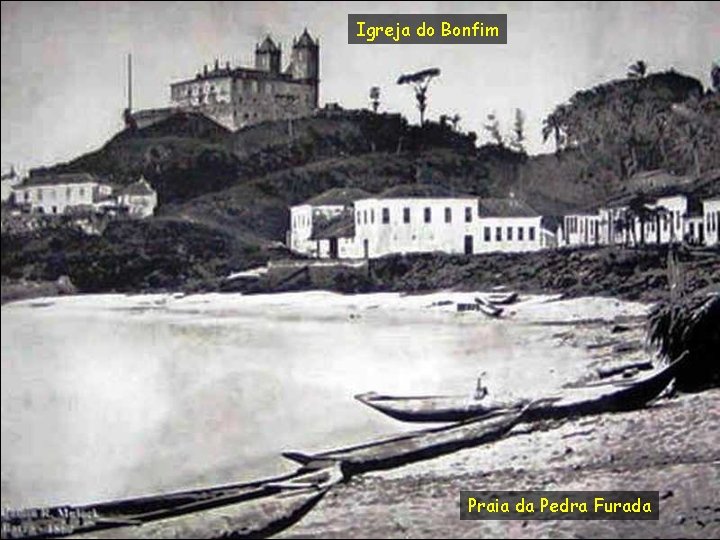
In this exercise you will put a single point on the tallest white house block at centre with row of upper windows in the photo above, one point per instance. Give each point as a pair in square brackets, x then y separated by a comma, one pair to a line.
[415, 218]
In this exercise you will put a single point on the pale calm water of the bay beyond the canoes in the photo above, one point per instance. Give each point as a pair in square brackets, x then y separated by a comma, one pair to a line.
[109, 396]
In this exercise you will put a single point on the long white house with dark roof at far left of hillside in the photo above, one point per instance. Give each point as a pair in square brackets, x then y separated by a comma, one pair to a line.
[54, 193]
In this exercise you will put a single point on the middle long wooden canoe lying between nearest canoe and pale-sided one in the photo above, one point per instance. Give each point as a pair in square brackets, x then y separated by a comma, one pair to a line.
[416, 446]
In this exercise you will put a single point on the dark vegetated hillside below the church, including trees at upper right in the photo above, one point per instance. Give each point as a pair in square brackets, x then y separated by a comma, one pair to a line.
[224, 196]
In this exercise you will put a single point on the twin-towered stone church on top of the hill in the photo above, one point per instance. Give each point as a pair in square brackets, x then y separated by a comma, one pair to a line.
[240, 96]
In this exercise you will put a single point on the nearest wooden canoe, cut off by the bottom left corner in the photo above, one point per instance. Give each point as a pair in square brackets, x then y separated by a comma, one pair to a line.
[253, 509]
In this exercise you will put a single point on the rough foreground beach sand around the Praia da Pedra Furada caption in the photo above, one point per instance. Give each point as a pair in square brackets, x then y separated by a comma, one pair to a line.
[670, 448]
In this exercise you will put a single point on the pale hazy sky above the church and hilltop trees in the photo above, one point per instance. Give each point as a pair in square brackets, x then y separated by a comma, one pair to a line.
[64, 63]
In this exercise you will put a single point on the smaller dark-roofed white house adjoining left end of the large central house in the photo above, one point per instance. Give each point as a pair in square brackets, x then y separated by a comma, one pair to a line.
[313, 215]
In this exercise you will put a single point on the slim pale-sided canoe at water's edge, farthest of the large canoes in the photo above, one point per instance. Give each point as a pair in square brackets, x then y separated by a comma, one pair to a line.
[433, 408]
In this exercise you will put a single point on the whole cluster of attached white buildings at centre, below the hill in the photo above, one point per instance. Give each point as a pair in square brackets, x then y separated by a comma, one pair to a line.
[415, 218]
